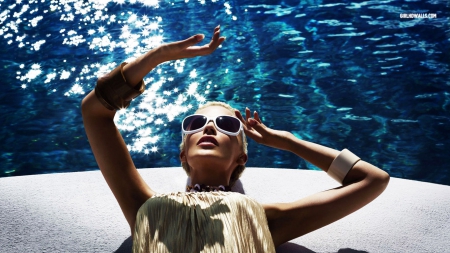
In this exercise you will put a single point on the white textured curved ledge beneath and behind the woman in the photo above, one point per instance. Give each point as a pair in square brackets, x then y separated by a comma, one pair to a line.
[76, 212]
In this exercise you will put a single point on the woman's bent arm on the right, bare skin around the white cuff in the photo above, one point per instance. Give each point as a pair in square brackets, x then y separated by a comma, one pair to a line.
[363, 183]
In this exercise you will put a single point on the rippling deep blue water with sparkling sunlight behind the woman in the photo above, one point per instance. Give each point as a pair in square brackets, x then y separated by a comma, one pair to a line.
[343, 74]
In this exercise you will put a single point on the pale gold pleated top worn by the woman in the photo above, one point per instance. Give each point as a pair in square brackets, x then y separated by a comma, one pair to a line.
[202, 222]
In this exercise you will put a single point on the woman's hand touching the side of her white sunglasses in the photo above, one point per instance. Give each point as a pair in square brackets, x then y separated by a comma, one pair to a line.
[256, 130]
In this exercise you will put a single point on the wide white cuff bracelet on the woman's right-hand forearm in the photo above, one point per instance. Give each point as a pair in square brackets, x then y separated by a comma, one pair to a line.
[342, 164]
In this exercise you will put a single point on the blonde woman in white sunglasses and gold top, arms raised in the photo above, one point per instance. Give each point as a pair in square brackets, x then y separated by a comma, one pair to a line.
[213, 152]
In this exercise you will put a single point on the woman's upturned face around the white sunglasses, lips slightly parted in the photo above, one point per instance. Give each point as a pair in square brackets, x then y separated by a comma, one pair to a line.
[211, 148]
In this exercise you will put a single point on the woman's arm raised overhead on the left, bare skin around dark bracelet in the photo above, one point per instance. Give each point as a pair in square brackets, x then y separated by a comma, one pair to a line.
[107, 144]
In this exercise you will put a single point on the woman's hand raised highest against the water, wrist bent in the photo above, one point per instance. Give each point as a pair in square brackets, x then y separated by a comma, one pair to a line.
[187, 49]
